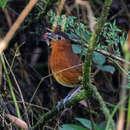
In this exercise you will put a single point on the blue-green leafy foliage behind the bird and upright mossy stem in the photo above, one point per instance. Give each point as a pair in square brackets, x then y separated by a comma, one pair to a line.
[110, 37]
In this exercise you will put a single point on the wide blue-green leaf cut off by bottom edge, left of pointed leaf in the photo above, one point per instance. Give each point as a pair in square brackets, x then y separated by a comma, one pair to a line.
[71, 127]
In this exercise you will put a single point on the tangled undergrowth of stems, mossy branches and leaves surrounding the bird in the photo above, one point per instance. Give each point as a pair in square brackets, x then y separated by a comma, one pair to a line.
[28, 92]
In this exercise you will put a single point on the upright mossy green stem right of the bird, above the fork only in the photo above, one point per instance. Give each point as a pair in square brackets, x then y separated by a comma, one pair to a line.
[93, 44]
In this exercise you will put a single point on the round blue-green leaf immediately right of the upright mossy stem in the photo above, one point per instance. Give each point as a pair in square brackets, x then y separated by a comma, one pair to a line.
[98, 58]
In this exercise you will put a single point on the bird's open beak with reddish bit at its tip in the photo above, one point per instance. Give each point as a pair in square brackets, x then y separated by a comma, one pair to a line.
[47, 37]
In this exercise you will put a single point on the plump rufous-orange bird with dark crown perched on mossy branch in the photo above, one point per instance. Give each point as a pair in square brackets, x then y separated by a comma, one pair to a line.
[64, 64]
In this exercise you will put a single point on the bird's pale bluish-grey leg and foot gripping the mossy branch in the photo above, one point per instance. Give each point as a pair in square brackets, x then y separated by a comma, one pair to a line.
[68, 97]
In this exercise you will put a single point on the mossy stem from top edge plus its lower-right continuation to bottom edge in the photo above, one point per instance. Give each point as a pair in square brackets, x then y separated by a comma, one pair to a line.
[86, 82]
